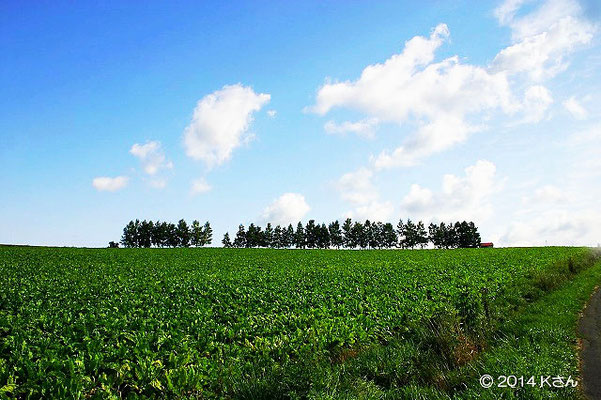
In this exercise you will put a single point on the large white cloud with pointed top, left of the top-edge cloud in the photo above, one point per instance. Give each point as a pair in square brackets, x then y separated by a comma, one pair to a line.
[410, 88]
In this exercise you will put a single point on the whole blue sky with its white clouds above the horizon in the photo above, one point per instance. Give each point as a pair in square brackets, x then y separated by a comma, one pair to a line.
[244, 112]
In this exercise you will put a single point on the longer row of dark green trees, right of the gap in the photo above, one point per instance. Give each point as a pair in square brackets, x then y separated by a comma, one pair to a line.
[354, 234]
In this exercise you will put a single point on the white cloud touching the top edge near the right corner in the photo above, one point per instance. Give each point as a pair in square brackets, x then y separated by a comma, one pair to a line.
[542, 38]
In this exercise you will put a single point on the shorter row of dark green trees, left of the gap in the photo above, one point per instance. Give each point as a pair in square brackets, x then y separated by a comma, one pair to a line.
[166, 234]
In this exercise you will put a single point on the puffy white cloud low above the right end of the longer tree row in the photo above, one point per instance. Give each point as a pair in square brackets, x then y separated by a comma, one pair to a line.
[460, 197]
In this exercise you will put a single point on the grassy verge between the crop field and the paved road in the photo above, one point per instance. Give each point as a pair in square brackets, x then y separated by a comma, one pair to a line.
[540, 339]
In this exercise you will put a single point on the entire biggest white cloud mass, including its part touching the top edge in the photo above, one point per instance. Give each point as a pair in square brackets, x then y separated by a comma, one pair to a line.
[443, 99]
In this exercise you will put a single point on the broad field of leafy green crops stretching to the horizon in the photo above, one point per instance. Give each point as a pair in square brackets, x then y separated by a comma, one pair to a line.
[116, 323]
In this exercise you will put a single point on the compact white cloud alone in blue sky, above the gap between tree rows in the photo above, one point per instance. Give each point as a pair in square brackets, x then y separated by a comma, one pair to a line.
[220, 123]
